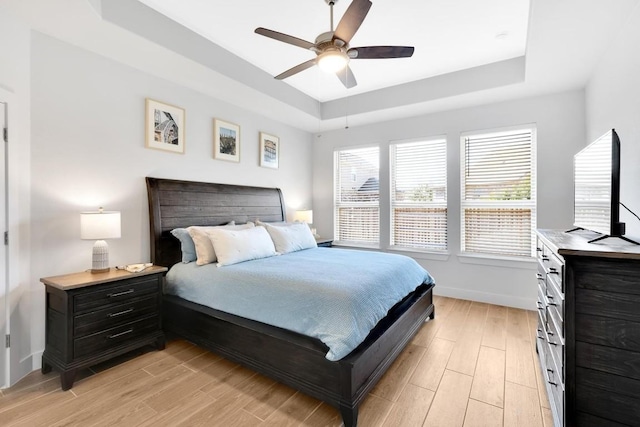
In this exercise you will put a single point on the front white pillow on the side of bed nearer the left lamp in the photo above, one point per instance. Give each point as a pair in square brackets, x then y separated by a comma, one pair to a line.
[234, 246]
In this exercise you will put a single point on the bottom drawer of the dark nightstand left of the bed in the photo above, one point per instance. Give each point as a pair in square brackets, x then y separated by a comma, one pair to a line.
[112, 337]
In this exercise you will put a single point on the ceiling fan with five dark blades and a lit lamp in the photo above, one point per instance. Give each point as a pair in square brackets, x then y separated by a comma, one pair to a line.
[332, 47]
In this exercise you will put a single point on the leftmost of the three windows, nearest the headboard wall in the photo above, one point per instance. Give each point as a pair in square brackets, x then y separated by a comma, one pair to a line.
[357, 196]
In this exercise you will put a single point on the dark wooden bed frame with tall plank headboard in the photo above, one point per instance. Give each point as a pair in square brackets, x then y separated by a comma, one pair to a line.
[288, 357]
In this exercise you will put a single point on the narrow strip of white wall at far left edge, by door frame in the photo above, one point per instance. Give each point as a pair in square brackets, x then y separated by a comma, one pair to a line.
[15, 84]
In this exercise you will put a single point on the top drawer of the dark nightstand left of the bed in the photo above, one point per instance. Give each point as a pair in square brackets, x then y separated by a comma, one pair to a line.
[114, 294]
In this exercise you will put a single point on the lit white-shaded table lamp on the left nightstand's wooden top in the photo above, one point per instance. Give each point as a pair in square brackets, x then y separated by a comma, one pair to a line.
[100, 225]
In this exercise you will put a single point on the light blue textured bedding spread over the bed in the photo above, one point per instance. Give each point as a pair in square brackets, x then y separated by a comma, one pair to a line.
[335, 295]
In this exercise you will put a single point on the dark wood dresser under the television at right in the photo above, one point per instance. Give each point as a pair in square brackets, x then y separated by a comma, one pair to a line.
[589, 328]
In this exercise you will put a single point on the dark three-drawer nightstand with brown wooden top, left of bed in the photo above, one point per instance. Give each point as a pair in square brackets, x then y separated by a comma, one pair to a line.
[91, 318]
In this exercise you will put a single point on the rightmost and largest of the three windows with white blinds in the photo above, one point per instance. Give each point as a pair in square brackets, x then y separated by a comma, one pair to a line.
[498, 192]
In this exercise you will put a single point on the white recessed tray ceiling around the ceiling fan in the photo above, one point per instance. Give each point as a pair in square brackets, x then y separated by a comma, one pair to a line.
[565, 42]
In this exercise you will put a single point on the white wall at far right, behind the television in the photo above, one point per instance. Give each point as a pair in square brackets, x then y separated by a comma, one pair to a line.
[613, 101]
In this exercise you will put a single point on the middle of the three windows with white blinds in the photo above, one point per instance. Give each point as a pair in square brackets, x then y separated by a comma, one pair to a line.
[419, 194]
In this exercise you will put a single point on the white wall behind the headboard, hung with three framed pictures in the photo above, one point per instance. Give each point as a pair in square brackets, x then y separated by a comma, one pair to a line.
[88, 151]
